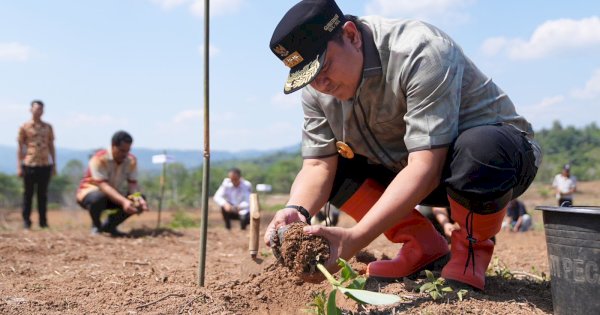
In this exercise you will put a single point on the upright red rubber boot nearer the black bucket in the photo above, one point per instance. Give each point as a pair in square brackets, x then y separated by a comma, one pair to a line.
[471, 249]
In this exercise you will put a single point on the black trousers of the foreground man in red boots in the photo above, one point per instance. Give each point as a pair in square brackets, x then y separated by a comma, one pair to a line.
[485, 168]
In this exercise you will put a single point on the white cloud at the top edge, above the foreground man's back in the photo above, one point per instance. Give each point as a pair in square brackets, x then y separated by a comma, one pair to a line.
[428, 10]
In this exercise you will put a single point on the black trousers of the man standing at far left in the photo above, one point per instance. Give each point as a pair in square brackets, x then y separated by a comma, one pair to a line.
[36, 178]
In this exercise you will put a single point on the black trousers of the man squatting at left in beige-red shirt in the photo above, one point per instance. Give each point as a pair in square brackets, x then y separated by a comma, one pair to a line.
[97, 202]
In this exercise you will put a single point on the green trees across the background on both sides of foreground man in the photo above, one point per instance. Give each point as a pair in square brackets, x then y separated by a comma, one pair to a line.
[579, 147]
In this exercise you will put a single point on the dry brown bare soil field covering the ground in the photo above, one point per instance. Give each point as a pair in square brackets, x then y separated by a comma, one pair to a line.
[65, 270]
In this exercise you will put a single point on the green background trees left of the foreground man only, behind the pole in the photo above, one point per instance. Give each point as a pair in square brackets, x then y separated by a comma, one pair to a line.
[182, 185]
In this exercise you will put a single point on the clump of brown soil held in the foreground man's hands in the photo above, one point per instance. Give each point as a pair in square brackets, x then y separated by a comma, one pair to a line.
[301, 252]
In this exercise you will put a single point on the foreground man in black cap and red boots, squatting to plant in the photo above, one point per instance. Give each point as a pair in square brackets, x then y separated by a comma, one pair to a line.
[396, 115]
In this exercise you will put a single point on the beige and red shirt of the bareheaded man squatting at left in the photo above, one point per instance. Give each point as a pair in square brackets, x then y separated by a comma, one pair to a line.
[103, 168]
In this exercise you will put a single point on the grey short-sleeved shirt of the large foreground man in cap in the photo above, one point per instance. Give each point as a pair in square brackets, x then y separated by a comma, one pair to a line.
[418, 91]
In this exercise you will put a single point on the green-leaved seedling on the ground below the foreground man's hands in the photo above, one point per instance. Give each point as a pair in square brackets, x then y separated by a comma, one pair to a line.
[351, 285]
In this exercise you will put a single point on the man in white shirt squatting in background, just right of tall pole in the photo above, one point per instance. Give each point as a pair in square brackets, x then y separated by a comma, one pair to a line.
[234, 198]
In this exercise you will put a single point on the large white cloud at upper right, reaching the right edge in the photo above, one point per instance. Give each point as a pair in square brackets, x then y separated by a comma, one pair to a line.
[551, 38]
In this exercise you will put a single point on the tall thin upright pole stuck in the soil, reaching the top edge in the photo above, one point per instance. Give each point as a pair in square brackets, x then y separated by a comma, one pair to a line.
[206, 164]
